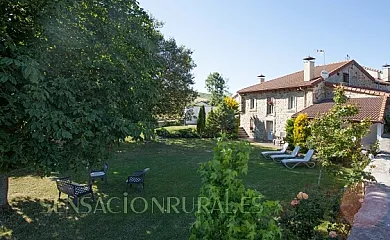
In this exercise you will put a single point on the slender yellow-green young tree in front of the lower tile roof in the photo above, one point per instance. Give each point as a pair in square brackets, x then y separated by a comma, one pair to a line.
[336, 139]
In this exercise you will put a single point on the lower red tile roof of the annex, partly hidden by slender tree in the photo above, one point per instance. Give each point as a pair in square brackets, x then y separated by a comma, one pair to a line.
[368, 108]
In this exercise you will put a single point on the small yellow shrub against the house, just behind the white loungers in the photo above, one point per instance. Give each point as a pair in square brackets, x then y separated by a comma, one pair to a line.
[301, 131]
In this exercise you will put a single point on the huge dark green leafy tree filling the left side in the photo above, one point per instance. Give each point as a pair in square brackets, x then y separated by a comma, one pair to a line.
[75, 78]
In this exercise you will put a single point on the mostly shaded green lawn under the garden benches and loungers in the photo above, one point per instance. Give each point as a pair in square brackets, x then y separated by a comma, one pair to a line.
[173, 174]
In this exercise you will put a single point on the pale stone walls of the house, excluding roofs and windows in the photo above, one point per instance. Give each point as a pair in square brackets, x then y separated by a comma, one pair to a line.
[304, 98]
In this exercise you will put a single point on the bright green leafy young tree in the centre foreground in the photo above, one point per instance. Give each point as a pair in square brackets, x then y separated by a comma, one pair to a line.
[226, 209]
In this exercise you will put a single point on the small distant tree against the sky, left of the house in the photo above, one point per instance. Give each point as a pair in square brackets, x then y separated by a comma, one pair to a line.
[217, 86]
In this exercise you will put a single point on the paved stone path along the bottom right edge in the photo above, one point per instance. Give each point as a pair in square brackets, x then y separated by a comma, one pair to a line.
[373, 219]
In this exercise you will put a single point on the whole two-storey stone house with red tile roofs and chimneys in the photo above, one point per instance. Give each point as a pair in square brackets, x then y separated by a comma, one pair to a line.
[266, 106]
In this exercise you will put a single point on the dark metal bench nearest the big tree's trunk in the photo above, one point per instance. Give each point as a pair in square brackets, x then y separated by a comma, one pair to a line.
[74, 190]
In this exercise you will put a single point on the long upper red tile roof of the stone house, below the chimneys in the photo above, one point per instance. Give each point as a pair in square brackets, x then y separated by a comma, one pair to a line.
[295, 80]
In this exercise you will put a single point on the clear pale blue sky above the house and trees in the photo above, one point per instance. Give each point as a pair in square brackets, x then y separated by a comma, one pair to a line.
[243, 39]
